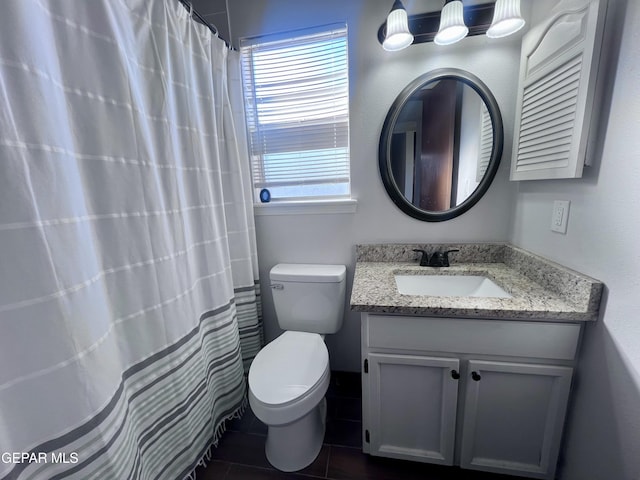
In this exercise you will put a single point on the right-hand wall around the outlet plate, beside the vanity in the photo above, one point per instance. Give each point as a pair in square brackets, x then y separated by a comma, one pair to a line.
[602, 440]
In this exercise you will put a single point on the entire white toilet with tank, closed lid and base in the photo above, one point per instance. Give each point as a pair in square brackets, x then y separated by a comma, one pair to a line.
[290, 376]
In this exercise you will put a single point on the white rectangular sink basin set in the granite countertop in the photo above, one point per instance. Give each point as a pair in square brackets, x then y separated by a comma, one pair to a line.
[449, 286]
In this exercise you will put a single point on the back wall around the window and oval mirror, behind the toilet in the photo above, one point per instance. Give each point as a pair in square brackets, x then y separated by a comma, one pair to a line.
[376, 78]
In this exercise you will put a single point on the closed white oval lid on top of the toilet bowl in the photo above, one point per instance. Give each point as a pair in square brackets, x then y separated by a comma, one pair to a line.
[288, 367]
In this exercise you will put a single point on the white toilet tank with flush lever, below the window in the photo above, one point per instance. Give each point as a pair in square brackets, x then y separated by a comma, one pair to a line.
[309, 298]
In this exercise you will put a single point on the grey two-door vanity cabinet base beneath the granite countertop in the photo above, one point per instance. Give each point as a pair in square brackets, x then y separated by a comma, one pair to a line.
[482, 394]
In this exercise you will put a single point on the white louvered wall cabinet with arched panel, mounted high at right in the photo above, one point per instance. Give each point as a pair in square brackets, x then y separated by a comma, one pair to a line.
[557, 96]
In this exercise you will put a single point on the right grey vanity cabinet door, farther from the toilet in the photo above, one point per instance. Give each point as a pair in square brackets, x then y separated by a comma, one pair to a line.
[513, 417]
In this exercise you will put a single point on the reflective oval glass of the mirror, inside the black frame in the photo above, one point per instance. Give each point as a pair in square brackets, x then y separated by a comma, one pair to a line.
[440, 145]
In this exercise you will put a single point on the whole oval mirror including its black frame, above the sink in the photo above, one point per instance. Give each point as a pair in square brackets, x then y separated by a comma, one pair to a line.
[441, 145]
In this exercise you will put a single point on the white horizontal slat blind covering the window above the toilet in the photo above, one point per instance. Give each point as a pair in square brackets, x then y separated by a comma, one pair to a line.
[297, 108]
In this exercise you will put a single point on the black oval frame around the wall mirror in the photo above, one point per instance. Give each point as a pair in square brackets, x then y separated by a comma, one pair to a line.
[384, 154]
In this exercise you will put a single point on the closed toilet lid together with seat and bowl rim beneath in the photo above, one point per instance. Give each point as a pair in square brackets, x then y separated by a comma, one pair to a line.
[289, 377]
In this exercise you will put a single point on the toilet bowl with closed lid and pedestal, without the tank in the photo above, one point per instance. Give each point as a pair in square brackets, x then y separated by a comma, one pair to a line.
[287, 383]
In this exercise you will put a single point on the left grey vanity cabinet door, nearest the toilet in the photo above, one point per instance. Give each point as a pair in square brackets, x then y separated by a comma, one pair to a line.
[412, 407]
